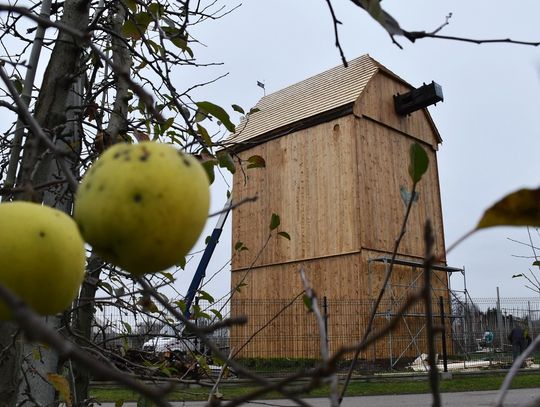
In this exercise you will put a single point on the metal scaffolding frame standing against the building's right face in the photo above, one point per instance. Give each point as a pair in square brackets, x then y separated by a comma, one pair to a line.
[397, 292]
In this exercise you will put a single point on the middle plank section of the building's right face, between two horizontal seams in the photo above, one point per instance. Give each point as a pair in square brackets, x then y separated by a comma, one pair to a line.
[383, 160]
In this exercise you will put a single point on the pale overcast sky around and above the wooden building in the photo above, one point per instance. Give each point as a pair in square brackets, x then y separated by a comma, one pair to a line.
[488, 121]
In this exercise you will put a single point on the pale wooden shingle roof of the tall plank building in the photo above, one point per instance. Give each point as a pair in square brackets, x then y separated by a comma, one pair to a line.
[328, 93]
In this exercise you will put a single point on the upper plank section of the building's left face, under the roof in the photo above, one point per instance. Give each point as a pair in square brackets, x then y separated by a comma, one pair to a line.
[310, 182]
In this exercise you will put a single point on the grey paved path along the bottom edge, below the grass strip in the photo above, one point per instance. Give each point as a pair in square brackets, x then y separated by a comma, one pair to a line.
[514, 398]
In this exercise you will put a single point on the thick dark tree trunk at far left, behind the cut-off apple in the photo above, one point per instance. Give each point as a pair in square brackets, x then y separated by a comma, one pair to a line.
[40, 166]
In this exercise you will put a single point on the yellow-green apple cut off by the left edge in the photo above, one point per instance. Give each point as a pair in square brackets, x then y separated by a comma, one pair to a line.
[42, 256]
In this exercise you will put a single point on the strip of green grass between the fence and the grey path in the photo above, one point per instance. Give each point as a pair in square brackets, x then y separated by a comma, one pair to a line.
[356, 388]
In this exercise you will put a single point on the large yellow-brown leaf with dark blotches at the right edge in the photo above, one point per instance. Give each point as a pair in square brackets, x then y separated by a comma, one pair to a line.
[520, 208]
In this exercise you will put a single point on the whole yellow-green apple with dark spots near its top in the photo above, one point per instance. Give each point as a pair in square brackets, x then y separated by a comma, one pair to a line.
[143, 206]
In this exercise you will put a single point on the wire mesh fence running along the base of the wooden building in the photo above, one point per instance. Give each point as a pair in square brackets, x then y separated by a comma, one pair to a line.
[283, 336]
